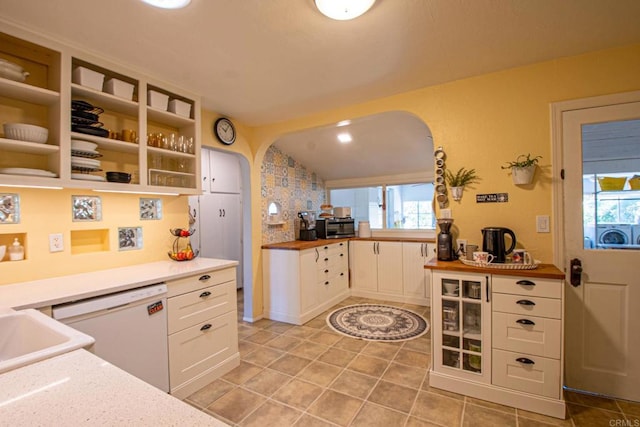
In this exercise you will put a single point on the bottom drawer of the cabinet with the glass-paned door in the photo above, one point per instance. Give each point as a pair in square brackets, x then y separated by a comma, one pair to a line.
[540, 376]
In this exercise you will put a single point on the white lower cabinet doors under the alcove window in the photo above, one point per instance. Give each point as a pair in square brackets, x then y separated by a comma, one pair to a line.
[391, 270]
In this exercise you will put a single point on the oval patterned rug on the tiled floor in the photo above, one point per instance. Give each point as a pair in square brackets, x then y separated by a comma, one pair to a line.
[375, 322]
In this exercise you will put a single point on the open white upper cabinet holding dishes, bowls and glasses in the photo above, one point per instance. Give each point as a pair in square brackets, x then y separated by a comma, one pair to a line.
[141, 127]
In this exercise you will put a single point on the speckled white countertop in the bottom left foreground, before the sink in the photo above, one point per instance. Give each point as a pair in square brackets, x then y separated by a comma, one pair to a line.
[79, 388]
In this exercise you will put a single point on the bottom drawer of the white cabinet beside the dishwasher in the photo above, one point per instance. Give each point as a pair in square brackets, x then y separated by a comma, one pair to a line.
[199, 348]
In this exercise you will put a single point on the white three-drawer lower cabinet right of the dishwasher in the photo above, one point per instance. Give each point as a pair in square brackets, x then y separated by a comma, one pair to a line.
[203, 330]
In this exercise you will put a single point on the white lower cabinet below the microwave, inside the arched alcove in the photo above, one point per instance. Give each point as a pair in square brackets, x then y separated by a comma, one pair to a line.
[300, 284]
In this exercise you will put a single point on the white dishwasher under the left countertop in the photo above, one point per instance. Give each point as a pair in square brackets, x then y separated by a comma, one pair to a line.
[130, 329]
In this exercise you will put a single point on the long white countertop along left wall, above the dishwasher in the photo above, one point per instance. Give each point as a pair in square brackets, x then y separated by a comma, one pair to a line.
[58, 290]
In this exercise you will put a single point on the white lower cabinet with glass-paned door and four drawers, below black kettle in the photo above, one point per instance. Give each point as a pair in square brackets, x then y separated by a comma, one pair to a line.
[498, 337]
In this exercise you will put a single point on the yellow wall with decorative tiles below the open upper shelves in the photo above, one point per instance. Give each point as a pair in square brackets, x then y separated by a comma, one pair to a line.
[49, 211]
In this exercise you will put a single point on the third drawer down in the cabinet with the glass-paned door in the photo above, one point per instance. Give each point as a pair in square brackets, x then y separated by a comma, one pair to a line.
[527, 334]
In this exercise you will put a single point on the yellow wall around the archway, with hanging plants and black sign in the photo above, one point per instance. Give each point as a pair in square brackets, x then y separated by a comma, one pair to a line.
[483, 122]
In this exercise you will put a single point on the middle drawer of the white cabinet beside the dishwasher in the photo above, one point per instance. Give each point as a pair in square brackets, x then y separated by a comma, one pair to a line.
[195, 307]
